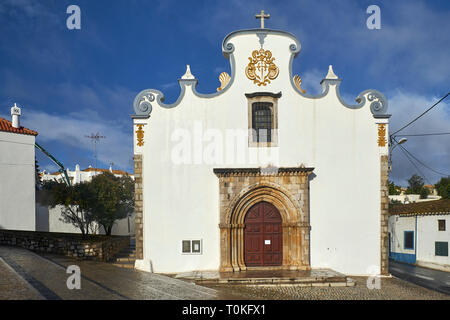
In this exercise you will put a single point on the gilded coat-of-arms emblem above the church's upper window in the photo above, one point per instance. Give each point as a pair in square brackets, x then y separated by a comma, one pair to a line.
[261, 68]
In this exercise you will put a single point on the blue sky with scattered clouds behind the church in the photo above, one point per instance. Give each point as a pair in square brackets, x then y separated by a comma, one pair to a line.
[71, 83]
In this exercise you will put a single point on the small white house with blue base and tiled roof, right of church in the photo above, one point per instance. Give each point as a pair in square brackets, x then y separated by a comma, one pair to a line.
[419, 233]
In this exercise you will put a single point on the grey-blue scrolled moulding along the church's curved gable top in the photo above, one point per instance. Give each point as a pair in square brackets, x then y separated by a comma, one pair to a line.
[146, 99]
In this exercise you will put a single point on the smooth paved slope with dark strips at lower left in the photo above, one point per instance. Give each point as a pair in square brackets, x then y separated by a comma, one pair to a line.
[26, 275]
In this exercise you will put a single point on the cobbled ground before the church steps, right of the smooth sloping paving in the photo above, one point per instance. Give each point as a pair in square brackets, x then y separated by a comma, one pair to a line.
[391, 289]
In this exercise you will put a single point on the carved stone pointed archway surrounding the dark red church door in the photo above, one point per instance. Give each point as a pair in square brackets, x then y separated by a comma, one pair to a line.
[285, 188]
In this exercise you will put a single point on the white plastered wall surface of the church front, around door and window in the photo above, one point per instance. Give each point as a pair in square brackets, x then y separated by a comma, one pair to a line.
[181, 201]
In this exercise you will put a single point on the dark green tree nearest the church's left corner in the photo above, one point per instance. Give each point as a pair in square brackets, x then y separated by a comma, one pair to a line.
[114, 199]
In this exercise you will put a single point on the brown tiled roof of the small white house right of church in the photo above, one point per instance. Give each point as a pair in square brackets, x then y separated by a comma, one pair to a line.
[424, 207]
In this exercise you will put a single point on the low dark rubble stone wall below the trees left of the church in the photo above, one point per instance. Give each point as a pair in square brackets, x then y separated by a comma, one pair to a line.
[95, 247]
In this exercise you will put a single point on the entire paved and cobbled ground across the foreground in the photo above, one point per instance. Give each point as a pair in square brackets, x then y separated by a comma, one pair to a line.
[26, 275]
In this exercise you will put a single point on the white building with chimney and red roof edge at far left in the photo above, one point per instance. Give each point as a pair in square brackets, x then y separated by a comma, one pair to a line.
[17, 174]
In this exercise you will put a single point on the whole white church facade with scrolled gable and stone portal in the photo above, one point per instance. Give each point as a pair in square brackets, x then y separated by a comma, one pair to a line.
[261, 174]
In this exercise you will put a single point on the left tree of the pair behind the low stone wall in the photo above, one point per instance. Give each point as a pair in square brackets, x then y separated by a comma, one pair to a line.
[76, 200]
